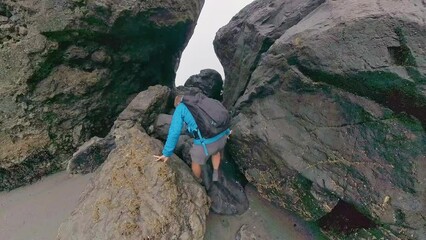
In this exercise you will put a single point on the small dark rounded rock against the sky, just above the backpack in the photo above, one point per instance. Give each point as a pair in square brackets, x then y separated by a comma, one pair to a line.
[208, 81]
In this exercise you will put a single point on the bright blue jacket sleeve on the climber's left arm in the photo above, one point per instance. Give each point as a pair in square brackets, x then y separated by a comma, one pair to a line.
[180, 116]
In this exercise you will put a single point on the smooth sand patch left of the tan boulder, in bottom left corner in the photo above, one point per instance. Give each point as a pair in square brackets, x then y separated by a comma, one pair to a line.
[35, 212]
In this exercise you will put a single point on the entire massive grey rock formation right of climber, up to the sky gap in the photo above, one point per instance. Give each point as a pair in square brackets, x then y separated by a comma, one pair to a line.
[330, 103]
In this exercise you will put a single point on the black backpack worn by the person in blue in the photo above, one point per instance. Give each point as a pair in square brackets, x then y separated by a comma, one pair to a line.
[210, 115]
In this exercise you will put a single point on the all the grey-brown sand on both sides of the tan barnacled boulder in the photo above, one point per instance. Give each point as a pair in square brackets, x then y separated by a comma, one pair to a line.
[36, 211]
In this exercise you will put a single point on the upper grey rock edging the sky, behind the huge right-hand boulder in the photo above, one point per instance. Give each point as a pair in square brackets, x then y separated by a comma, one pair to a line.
[241, 43]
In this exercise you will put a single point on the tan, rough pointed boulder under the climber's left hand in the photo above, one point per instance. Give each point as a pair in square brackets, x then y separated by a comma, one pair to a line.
[134, 197]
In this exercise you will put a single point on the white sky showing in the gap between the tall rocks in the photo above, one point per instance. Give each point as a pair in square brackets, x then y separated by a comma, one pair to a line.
[199, 54]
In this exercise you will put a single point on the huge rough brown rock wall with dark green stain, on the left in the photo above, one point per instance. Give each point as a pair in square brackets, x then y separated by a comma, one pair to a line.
[67, 68]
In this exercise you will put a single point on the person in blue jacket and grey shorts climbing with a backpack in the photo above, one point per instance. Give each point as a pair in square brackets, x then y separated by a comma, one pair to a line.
[209, 139]
